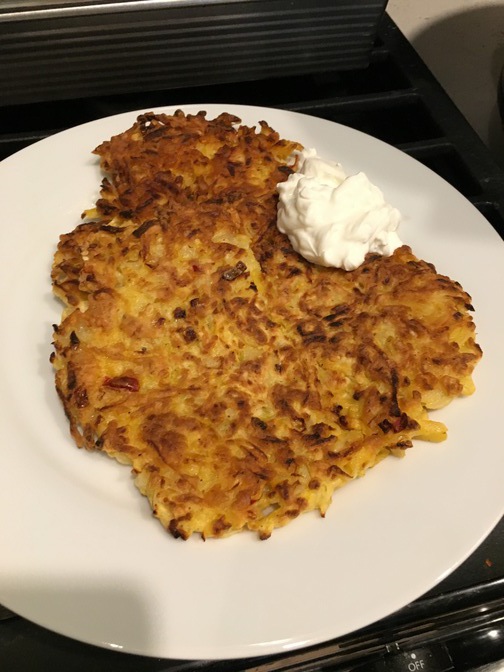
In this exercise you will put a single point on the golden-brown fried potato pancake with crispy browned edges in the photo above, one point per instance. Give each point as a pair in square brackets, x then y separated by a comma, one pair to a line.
[241, 383]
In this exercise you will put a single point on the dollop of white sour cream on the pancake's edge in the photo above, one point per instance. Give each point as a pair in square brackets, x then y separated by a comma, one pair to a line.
[333, 219]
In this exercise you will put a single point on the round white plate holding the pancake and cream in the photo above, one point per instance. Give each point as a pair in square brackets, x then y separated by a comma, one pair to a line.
[80, 552]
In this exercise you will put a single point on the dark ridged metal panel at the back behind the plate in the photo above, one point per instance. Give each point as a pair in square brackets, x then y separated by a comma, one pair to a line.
[82, 49]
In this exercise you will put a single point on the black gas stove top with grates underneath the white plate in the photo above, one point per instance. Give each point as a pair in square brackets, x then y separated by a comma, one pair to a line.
[460, 623]
